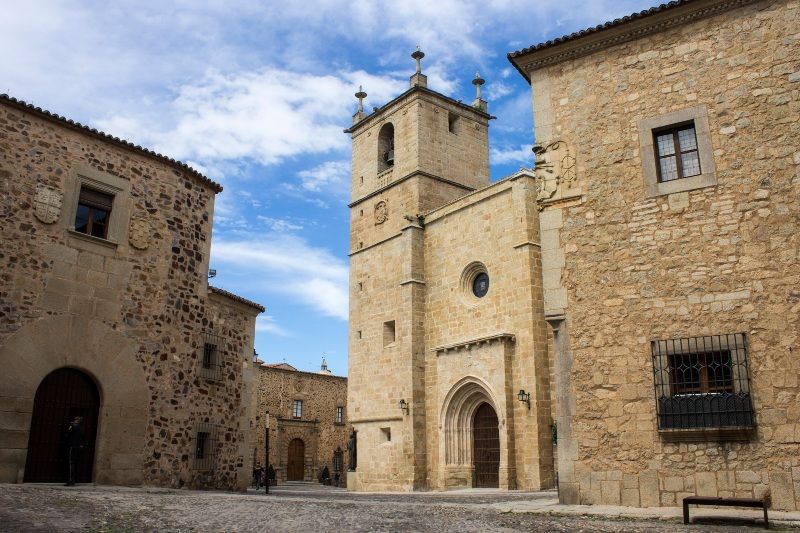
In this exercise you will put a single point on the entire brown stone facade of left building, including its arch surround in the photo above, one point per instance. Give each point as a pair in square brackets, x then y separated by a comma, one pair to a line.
[131, 310]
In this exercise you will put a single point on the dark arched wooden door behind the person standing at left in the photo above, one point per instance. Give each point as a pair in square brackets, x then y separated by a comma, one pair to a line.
[62, 395]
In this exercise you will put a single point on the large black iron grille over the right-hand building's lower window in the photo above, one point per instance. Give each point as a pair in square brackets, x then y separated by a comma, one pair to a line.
[702, 382]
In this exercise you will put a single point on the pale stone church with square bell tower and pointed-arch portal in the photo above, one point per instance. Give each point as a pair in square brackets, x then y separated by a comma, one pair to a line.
[446, 321]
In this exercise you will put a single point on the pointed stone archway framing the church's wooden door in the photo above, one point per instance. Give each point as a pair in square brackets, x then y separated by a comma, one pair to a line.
[457, 420]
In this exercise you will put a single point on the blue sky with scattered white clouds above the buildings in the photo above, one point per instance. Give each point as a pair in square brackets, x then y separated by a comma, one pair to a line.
[255, 95]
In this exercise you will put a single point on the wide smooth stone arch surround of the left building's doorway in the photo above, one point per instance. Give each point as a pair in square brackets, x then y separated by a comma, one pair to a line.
[104, 354]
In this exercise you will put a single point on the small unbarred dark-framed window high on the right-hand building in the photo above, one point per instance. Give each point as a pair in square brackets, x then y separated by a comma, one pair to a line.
[677, 154]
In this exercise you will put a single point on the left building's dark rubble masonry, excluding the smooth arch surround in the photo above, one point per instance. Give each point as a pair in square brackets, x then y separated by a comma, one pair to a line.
[155, 298]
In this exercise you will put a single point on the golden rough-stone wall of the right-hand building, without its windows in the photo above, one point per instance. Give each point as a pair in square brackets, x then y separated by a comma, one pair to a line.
[720, 259]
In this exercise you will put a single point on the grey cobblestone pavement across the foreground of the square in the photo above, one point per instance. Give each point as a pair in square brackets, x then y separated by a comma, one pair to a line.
[53, 508]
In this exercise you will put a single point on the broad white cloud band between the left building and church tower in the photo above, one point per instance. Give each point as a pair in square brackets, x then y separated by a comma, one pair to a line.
[287, 264]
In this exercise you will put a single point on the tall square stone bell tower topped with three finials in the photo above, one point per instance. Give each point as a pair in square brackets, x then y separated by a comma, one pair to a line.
[414, 154]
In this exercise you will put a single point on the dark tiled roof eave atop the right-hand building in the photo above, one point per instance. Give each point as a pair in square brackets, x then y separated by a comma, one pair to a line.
[619, 31]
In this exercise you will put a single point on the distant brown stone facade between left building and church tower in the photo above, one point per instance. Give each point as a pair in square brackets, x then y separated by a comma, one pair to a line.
[323, 437]
